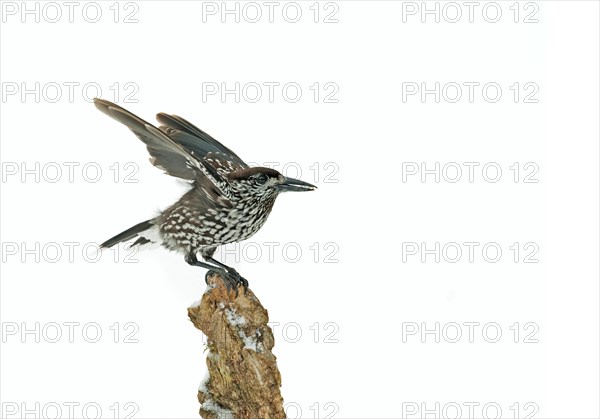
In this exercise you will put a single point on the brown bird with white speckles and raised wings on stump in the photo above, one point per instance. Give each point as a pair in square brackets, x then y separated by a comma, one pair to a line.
[228, 200]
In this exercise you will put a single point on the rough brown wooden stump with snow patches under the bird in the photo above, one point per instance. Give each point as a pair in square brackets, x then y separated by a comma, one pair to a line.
[243, 380]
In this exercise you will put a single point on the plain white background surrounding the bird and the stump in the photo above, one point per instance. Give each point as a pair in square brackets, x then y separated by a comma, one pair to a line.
[363, 363]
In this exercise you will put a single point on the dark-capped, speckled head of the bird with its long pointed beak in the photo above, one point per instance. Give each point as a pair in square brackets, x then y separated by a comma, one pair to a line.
[264, 182]
